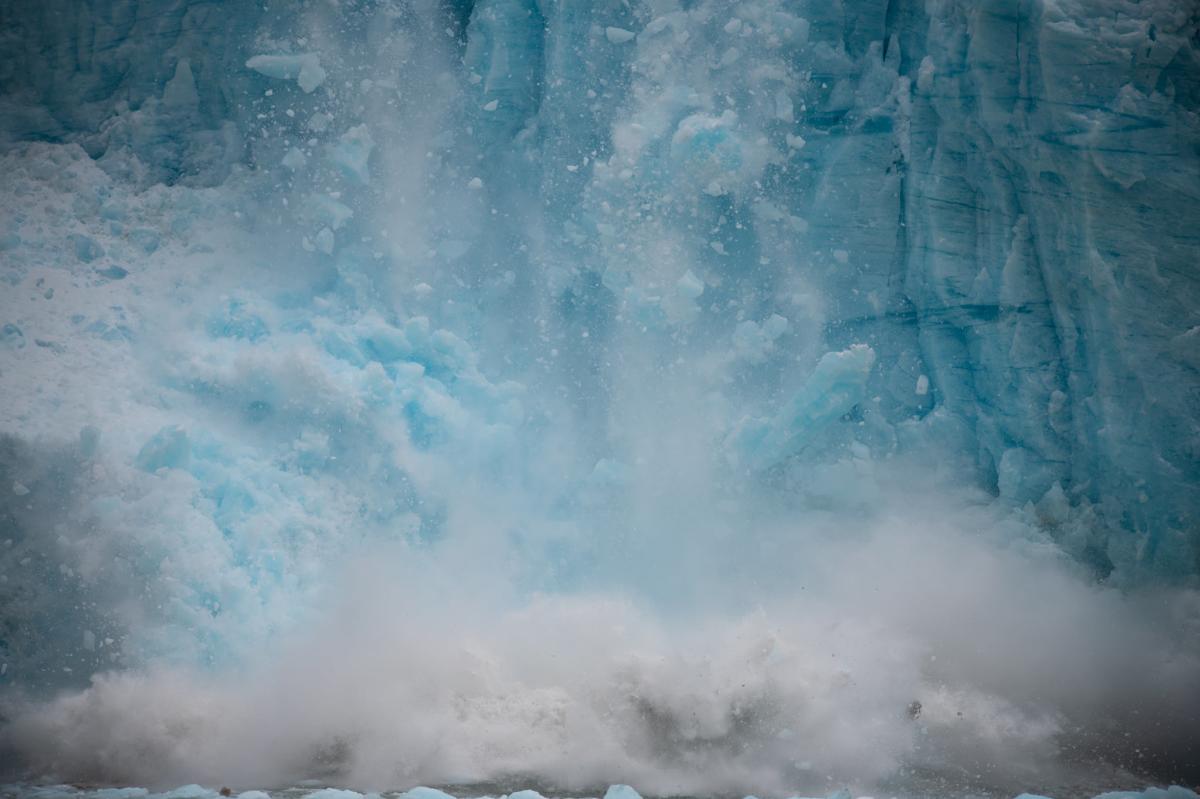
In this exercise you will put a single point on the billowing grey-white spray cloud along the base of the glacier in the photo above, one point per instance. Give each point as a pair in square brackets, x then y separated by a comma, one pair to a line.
[429, 672]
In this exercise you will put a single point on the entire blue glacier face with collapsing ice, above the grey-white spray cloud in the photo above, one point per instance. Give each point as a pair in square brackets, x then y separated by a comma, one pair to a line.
[586, 298]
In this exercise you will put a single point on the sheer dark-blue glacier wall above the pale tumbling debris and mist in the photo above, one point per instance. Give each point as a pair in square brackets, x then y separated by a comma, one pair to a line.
[995, 196]
